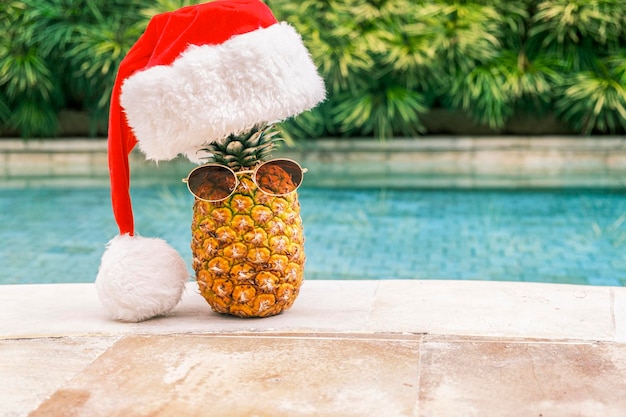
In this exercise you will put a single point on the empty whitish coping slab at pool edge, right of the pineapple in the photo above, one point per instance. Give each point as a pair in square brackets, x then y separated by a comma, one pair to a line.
[494, 309]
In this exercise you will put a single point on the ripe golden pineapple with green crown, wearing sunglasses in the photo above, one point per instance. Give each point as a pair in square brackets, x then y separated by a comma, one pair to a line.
[248, 250]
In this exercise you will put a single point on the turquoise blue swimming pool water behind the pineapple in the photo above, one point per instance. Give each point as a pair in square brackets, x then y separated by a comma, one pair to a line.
[576, 236]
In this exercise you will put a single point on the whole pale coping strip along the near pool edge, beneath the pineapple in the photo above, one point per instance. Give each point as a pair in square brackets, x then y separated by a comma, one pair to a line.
[456, 308]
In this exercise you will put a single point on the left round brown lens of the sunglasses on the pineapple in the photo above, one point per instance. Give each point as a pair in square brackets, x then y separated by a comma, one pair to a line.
[212, 183]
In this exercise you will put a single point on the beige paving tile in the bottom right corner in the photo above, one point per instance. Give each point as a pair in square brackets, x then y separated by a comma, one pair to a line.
[522, 379]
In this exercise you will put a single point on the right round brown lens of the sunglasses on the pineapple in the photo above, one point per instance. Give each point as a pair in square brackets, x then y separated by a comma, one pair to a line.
[279, 177]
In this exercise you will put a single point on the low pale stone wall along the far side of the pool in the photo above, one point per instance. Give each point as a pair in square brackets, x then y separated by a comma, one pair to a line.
[423, 162]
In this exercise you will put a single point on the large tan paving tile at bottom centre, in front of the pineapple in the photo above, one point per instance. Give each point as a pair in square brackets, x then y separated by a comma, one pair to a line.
[234, 376]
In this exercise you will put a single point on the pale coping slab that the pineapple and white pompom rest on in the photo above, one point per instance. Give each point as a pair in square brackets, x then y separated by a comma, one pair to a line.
[74, 309]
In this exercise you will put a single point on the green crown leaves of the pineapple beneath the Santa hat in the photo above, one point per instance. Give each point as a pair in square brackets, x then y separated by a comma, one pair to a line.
[244, 150]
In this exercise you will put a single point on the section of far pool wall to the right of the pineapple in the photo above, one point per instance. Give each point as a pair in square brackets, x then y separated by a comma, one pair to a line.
[469, 161]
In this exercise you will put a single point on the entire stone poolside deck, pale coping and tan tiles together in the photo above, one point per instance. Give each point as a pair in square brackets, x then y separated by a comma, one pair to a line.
[346, 348]
